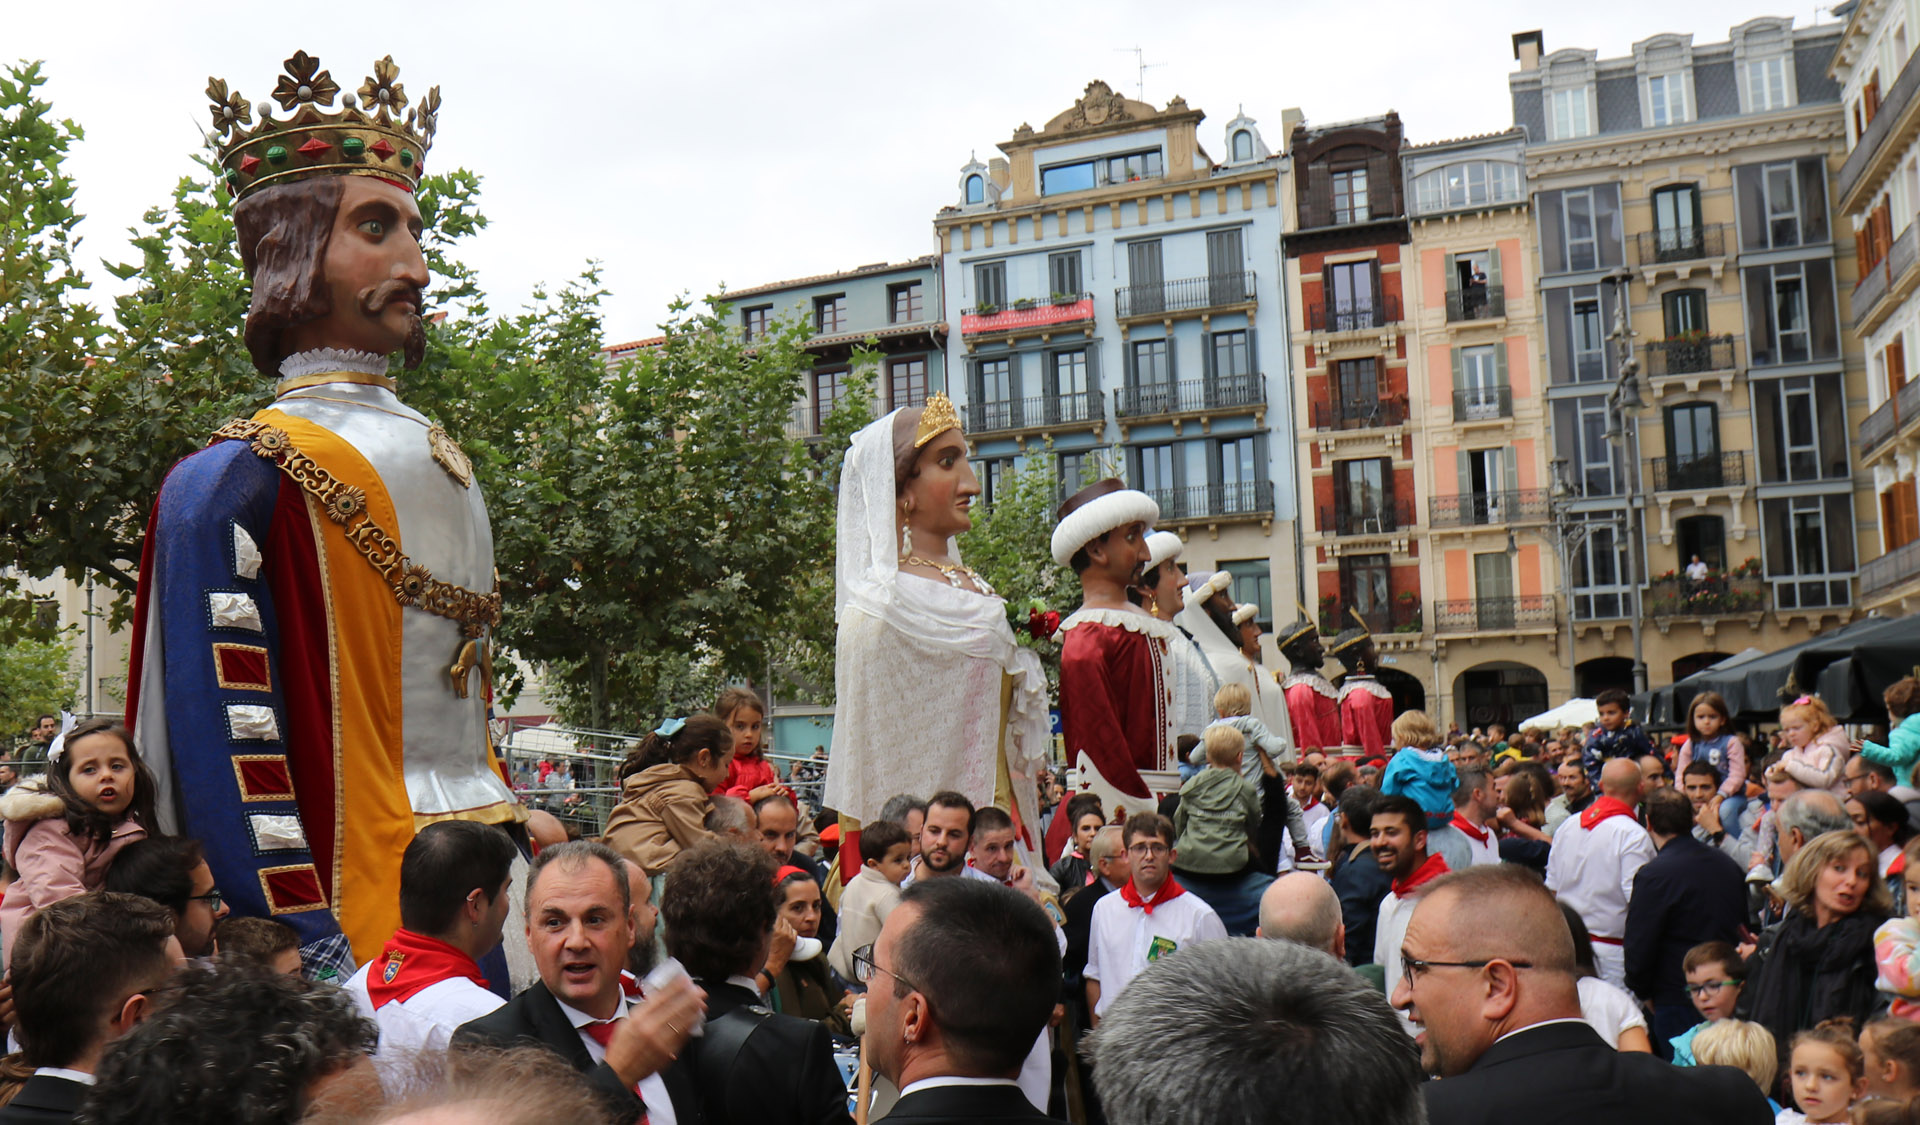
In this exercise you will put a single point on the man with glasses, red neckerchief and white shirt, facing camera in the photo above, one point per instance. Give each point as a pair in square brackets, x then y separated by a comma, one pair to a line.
[1147, 921]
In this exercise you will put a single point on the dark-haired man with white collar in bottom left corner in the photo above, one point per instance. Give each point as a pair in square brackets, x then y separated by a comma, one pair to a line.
[82, 970]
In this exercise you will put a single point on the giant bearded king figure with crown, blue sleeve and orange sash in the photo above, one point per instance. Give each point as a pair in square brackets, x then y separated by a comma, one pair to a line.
[318, 596]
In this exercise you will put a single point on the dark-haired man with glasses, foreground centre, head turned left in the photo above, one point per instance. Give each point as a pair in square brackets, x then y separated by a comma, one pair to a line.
[961, 984]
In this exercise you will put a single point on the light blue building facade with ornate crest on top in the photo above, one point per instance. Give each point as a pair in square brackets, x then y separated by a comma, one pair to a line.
[1116, 302]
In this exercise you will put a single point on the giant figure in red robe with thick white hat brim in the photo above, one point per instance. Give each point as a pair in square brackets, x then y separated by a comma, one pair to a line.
[1116, 694]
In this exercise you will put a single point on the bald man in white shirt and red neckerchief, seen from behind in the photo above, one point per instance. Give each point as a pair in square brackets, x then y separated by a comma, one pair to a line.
[1595, 861]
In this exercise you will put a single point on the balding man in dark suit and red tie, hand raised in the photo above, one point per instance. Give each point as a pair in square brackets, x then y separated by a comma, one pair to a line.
[581, 928]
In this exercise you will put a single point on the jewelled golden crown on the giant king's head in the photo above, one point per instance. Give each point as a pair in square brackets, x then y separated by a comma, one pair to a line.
[366, 137]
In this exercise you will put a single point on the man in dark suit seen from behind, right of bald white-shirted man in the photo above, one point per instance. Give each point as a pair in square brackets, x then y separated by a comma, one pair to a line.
[1687, 896]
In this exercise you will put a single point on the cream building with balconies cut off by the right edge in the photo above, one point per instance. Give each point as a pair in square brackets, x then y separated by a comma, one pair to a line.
[1879, 195]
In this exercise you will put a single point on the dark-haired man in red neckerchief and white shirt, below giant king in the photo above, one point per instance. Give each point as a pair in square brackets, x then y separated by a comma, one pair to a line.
[452, 911]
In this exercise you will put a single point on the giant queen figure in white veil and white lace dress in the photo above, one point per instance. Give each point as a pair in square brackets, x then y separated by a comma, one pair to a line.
[932, 692]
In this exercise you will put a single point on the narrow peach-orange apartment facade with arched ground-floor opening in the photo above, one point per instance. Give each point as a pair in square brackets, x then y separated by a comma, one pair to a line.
[1489, 558]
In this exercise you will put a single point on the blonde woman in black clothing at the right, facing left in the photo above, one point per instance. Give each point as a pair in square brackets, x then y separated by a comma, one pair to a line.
[1819, 963]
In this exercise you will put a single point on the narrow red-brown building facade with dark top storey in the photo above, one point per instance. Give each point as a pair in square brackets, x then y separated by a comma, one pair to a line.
[1355, 450]
